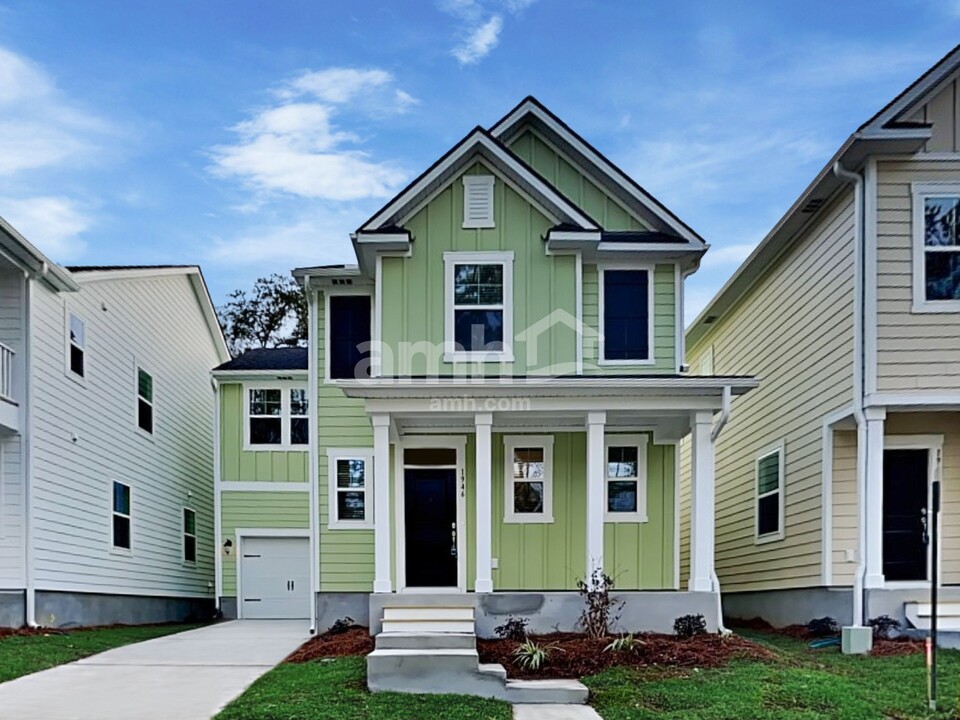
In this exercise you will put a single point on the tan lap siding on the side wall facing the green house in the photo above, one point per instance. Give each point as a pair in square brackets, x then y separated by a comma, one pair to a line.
[794, 331]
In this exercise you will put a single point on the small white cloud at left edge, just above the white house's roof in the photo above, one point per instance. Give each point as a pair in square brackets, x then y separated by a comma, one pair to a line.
[53, 224]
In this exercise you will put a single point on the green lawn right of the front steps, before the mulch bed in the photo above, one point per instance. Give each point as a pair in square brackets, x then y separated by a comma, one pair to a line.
[802, 684]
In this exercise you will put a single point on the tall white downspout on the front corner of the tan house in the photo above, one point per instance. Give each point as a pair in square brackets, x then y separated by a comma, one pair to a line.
[859, 244]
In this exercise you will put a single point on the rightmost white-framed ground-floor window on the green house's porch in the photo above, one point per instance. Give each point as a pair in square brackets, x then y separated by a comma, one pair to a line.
[626, 478]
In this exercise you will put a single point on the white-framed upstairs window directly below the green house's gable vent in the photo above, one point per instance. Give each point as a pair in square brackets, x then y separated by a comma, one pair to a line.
[479, 306]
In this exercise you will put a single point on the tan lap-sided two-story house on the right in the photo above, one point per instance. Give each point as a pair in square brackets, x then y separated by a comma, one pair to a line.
[849, 314]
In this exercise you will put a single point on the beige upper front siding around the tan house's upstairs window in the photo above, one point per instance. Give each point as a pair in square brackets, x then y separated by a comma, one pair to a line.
[916, 352]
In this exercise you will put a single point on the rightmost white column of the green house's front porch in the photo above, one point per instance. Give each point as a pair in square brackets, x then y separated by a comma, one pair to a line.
[702, 514]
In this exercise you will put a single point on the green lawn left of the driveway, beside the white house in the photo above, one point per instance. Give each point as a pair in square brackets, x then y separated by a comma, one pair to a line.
[25, 654]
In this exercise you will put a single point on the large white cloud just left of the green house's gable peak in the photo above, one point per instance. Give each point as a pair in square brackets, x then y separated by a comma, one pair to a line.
[297, 147]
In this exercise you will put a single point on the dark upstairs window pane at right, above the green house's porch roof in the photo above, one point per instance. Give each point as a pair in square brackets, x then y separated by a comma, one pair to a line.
[626, 315]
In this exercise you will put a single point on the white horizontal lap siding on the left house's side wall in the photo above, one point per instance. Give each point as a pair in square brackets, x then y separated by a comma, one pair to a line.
[85, 436]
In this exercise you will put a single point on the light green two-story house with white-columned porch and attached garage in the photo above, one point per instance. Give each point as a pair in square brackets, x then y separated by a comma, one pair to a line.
[489, 407]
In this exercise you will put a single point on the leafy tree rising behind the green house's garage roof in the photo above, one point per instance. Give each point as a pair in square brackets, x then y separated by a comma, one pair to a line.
[273, 314]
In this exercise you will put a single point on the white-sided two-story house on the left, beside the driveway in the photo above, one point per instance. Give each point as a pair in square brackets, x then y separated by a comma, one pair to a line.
[106, 467]
